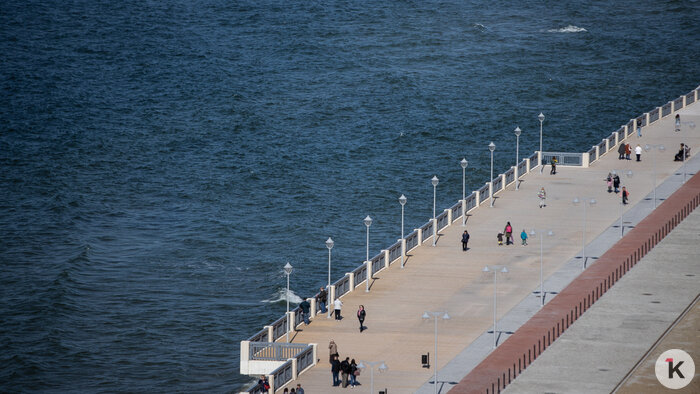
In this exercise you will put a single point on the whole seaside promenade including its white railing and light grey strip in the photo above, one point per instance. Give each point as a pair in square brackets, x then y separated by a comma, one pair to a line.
[443, 278]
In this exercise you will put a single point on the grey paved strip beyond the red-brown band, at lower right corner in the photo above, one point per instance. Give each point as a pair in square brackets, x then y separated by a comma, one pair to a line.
[612, 336]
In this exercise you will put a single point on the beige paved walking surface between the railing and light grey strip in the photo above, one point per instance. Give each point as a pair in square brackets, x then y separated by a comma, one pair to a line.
[443, 278]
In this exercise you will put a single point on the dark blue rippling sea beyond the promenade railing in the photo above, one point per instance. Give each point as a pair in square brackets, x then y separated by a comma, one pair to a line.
[161, 161]
